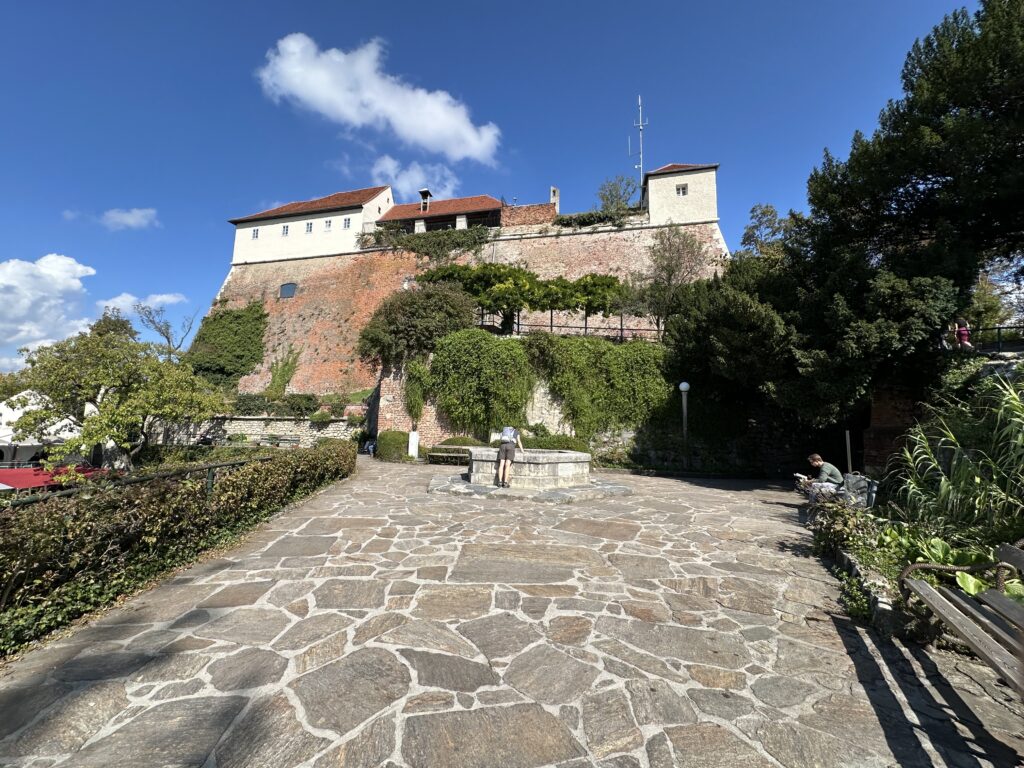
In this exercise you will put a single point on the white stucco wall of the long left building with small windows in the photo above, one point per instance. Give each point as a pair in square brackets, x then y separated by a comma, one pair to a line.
[273, 244]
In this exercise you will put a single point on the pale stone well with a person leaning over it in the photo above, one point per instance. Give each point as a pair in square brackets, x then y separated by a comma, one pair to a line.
[534, 468]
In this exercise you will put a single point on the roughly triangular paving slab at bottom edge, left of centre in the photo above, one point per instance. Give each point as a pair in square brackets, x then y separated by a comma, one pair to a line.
[270, 737]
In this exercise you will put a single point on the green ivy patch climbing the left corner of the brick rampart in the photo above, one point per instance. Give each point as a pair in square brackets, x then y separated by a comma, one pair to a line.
[229, 345]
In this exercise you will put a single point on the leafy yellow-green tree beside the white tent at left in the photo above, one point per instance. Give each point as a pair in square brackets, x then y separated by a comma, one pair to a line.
[118, 390]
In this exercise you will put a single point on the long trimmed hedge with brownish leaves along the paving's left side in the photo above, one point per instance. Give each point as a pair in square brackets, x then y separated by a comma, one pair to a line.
[63, 558]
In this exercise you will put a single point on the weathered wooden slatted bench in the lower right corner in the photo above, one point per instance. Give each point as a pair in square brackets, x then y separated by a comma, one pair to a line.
[991, 623]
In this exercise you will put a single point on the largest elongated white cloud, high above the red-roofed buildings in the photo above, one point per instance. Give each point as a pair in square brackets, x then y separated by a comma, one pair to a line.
[352, 90]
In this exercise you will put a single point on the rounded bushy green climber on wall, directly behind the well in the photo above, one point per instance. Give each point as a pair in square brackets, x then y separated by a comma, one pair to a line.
[482, 382]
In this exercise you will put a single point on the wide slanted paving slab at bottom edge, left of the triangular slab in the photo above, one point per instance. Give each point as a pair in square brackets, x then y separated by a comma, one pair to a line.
[155, 738]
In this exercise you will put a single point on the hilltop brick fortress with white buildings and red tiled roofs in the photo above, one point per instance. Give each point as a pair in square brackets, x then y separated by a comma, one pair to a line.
[305, 263]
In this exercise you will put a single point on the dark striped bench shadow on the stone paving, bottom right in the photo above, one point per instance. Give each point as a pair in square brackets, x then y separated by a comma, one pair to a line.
[937, 718]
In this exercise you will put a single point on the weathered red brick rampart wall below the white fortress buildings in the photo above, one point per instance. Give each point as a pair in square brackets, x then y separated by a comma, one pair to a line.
[337, 294]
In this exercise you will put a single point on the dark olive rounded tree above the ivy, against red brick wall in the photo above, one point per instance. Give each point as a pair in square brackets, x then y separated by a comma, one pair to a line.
[409, 324]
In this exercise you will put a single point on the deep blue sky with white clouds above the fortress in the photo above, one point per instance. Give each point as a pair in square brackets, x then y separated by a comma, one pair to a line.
[132, 131]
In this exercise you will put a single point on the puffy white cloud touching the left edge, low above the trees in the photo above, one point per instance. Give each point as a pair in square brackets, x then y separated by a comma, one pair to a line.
[39, 301]
